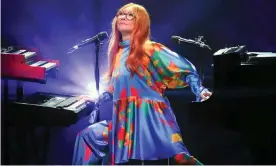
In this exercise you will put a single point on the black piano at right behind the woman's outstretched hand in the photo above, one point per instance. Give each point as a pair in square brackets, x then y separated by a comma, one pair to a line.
[236, 67]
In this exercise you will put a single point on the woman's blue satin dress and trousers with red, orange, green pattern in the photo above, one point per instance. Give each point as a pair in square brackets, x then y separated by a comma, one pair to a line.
[143, 124]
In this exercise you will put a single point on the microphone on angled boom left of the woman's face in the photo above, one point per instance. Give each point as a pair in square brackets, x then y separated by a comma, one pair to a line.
[99, 37]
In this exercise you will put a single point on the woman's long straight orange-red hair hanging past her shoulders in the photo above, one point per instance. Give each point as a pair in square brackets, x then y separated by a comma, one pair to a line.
[139, 36]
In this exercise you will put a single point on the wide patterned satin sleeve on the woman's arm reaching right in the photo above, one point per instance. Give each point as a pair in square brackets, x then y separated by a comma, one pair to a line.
[174, 70]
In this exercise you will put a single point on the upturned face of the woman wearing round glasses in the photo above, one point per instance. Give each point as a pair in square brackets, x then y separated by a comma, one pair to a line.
[125, 20]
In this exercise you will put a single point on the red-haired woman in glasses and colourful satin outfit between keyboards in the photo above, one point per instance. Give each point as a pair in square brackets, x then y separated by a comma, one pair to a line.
[143, 125]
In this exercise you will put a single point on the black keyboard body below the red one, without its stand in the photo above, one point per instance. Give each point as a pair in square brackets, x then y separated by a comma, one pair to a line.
[50, 109]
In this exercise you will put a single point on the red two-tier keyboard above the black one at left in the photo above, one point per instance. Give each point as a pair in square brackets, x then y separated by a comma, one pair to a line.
[25, 65]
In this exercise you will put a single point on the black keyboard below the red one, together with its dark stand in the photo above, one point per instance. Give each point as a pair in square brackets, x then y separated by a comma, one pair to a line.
[36, 117]
